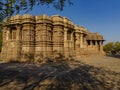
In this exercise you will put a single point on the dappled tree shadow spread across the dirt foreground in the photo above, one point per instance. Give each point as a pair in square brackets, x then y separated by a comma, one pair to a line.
[57, 76]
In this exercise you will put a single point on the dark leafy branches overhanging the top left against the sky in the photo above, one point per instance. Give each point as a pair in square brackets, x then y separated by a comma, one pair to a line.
[10, 7]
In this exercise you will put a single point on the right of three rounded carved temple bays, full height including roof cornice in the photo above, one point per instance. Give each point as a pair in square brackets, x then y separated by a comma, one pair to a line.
[58, 34]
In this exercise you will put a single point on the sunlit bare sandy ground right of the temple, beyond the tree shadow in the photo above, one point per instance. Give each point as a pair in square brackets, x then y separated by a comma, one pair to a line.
[106, 62]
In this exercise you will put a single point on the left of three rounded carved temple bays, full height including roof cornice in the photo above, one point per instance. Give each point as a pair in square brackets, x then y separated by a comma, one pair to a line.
[28, 34]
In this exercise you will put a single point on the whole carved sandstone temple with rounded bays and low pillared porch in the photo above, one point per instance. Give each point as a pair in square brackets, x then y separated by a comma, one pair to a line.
[45, 35]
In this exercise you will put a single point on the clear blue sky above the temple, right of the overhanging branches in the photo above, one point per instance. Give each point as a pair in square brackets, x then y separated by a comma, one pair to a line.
[101, 16]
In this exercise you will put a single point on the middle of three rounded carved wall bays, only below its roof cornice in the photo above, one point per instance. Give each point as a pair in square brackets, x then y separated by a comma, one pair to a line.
[43, 39]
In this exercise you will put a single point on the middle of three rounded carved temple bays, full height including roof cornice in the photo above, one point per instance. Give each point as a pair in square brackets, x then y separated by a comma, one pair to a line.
[43, 35]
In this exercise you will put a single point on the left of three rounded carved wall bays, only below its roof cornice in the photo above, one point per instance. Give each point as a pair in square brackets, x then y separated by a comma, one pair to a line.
[28, 38]
